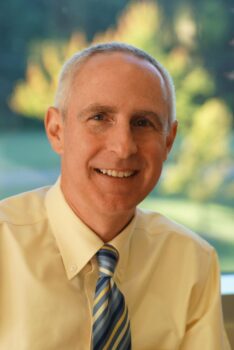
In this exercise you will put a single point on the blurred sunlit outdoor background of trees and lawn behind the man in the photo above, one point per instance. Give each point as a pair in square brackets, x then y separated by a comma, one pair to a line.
[192, 38]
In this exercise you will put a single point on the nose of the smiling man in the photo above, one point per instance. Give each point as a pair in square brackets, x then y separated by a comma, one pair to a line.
[122, 142]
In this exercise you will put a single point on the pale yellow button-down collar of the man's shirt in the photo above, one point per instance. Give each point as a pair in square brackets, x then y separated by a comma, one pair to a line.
[77, 243]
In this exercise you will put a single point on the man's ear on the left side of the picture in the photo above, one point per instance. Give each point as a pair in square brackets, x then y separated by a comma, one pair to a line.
[54, 125]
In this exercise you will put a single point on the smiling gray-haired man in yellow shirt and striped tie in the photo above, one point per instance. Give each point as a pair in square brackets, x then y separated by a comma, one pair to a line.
[113, 124]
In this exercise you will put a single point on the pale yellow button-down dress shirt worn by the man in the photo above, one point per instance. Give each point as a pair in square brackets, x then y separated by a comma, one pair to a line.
[48, 274]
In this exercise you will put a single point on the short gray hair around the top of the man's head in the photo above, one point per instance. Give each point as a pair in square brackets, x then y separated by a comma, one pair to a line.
[71, 67]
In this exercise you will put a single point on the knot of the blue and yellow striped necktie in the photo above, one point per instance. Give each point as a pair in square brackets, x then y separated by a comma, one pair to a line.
[107, 258]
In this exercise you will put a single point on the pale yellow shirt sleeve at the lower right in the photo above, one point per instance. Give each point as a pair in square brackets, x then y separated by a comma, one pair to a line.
[205, 327]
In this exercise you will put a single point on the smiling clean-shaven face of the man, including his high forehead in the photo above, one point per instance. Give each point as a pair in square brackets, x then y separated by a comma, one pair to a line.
[115, 136]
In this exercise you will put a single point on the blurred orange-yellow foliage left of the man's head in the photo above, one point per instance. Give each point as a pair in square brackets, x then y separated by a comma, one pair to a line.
[32, 96]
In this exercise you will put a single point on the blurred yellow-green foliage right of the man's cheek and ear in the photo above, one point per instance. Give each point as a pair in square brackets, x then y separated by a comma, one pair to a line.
[204, 153]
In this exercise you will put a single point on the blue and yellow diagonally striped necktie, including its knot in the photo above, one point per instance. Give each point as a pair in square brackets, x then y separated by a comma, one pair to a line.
[111, 327]
